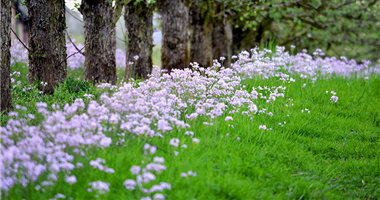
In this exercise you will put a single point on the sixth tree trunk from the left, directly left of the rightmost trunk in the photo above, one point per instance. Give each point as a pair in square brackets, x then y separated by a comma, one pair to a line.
[201, 37]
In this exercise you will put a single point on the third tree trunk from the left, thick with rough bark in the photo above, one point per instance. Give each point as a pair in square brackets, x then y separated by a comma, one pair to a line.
[100, 41]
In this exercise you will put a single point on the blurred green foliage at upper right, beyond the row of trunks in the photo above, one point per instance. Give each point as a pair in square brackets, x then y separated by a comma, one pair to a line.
[348, 28]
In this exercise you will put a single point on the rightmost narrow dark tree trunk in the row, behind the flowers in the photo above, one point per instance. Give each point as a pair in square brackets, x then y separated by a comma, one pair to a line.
[222, 43]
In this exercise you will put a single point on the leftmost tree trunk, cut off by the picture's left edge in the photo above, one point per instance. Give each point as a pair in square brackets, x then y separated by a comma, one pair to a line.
[5, 56]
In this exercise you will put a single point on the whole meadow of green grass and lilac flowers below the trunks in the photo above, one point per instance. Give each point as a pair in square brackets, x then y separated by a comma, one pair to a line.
[274, 124]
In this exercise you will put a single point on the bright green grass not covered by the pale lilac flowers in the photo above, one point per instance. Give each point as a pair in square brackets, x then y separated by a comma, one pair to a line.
[333, 152]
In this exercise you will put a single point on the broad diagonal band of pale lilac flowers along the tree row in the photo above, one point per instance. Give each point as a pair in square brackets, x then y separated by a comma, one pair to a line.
[153, 108]
